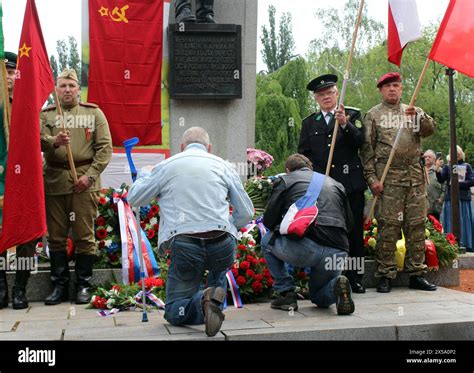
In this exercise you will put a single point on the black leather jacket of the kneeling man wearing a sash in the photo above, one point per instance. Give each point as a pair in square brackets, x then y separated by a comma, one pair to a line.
[334, 219]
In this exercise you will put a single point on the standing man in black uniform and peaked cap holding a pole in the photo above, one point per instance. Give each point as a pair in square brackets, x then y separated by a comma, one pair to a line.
[315, 143]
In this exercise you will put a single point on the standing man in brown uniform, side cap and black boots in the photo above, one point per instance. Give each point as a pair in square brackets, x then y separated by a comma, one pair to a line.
[68, 204]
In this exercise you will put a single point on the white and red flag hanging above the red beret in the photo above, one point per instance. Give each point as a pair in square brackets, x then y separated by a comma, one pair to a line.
[403, 27]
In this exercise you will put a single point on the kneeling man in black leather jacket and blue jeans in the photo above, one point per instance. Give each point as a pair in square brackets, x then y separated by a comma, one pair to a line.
[324, 247]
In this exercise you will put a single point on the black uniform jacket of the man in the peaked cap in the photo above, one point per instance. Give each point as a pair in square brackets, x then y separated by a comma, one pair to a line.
[315, 143]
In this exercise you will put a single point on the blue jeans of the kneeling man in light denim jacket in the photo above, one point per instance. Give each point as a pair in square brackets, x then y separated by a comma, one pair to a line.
[185, 274]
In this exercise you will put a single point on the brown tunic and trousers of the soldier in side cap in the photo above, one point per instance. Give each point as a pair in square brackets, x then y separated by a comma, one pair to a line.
[91, 147]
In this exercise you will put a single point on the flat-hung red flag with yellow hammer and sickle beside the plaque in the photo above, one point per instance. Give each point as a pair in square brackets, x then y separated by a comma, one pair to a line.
[126, 49]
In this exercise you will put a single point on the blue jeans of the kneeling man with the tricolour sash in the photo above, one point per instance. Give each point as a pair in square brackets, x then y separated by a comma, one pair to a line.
[326, 265]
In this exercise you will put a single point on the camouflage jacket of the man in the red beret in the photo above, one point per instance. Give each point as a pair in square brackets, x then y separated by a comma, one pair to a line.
[381, 124]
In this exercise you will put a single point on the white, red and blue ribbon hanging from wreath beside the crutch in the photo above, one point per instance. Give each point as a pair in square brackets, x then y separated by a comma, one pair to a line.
[128, 236]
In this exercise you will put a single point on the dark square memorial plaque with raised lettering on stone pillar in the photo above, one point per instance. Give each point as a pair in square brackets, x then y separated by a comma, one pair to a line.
[205, 61]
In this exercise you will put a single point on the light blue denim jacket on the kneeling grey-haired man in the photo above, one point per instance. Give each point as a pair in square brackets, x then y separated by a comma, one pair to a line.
[194, 189]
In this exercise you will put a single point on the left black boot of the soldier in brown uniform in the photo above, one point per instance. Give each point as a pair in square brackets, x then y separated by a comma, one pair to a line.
[59, 278]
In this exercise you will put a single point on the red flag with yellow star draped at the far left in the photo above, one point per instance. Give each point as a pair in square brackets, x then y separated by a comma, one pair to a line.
[24, 217]
